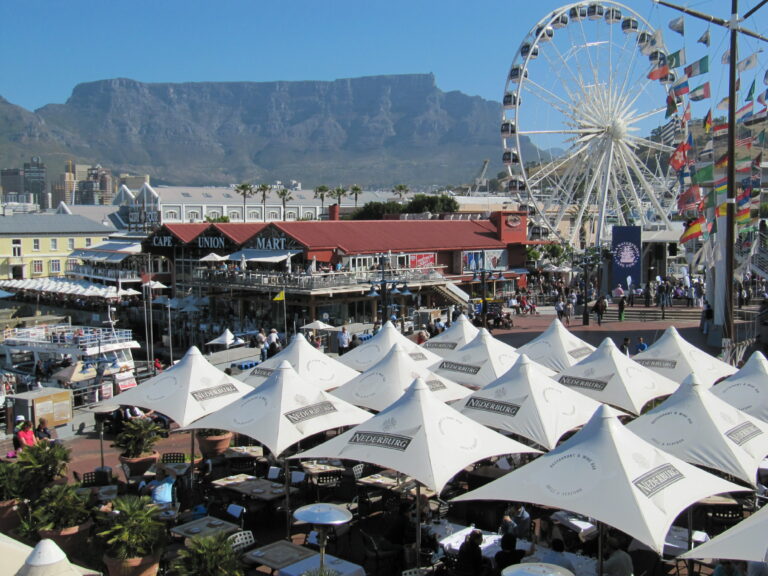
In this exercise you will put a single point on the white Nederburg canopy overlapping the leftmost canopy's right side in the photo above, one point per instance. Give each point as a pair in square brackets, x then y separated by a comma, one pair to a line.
[282, 411]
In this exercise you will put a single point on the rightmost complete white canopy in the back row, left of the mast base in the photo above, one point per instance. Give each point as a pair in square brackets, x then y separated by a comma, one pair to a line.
[673, 357]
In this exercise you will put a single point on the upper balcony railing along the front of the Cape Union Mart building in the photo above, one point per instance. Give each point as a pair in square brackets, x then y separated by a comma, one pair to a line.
[316, 281]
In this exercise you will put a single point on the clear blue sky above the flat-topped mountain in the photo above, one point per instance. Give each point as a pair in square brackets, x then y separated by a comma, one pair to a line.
[49, 46]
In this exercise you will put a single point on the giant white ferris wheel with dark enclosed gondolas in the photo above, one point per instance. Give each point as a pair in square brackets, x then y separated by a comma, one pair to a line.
[576, 124]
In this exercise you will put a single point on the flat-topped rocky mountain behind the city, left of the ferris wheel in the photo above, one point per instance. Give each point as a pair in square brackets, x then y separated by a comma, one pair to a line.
[373, 131]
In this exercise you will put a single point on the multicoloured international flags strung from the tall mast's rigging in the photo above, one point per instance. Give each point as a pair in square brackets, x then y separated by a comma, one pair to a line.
[701, 191]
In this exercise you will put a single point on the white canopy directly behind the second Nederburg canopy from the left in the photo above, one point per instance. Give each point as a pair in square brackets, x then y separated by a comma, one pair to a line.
[320, 369]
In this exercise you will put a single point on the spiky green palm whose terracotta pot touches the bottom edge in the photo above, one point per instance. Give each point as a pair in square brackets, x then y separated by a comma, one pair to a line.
[133, 536]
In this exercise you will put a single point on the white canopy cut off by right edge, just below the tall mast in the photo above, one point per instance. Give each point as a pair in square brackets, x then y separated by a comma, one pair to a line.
[747, 390]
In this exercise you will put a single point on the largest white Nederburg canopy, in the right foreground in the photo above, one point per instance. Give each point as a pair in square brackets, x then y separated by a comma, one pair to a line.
[607, 472]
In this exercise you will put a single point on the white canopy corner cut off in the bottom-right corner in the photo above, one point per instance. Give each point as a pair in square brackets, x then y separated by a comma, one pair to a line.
[745, 541]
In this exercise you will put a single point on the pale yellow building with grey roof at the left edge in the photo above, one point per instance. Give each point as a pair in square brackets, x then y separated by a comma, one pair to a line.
[41, 245]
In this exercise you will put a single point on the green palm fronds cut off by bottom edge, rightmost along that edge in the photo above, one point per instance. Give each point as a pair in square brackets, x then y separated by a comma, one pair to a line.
[209, 556]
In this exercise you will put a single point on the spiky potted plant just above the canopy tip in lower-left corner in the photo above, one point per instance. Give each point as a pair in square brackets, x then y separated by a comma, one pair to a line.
[63, 516]
